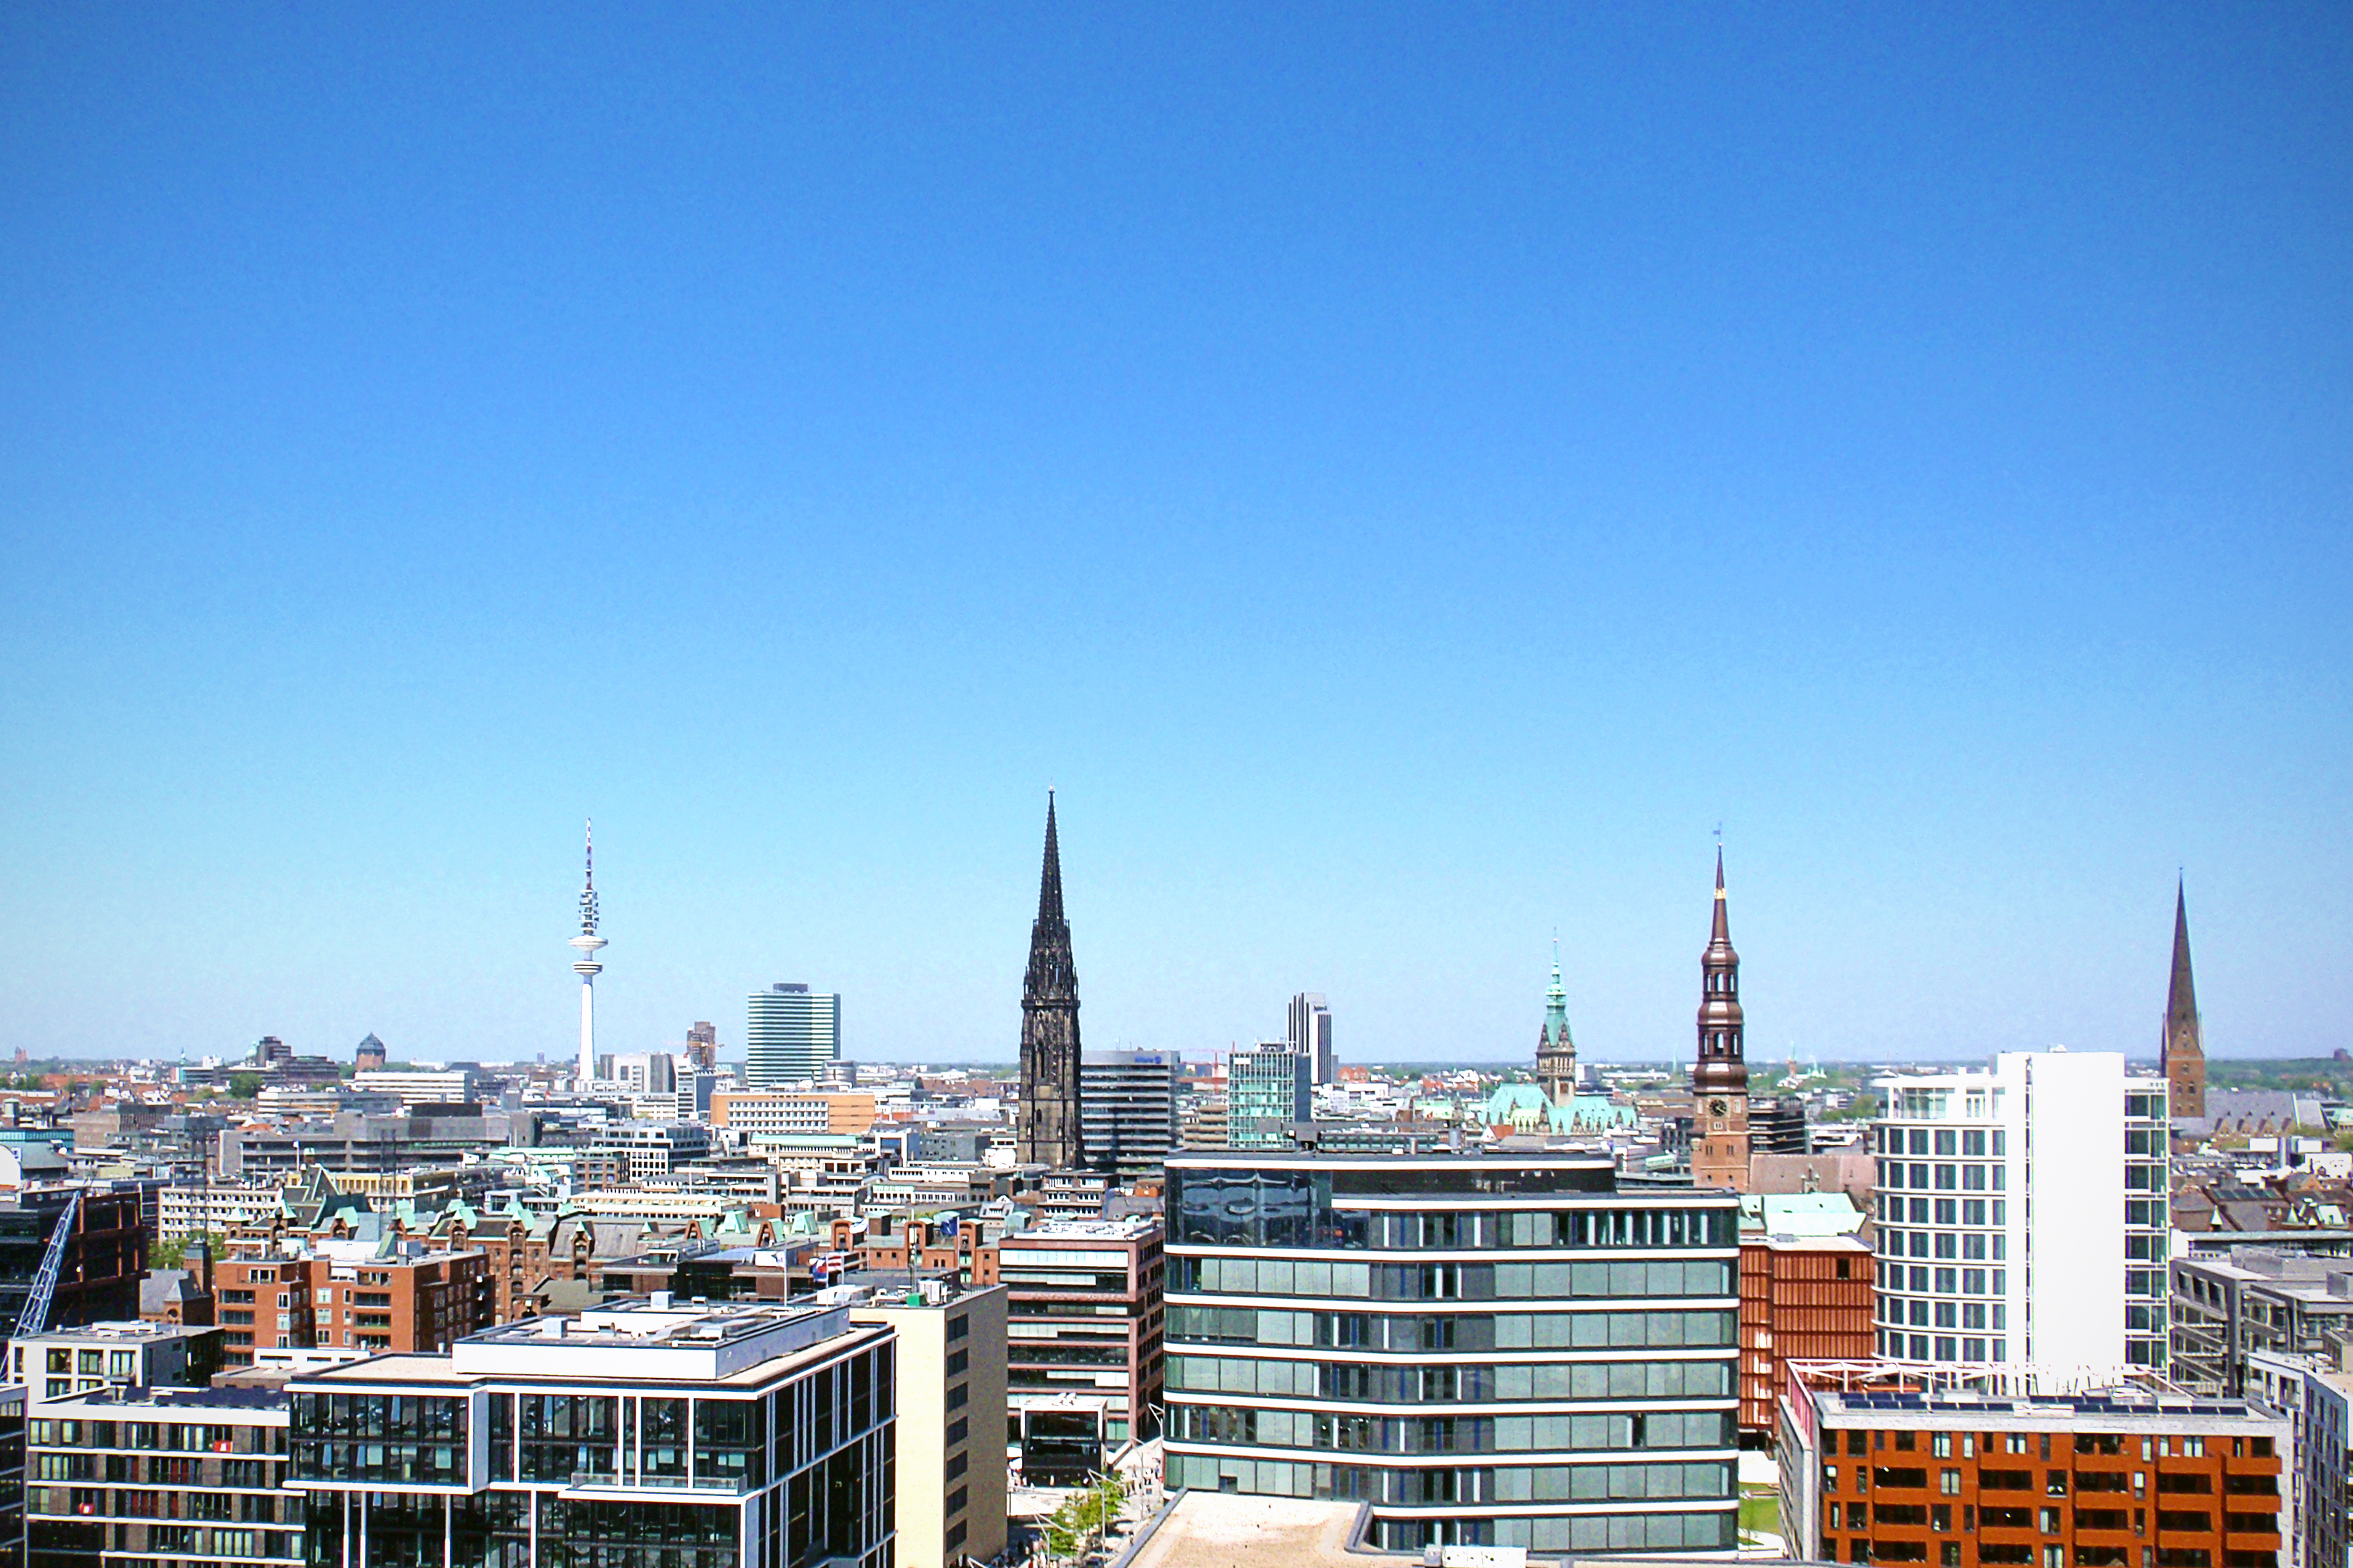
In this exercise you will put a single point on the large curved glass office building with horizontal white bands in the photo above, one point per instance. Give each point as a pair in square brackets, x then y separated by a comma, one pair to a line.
[1486, 1348]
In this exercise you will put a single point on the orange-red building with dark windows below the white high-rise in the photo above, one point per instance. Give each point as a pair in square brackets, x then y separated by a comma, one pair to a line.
[1959, 1477]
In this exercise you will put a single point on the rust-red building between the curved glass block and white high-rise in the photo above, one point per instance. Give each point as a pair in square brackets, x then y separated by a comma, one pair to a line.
[1804, 1299]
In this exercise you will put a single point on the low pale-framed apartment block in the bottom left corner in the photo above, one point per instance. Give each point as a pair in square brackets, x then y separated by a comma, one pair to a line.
[159, 1475]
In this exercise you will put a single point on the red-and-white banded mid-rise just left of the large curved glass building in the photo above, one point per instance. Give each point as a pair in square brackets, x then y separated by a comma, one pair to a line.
[1084, 1343]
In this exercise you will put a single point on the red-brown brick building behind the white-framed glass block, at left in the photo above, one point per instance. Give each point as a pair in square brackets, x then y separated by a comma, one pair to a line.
[415, 1304]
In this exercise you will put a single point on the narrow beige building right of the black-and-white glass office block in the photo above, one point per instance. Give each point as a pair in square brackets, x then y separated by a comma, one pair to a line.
[952, 1421]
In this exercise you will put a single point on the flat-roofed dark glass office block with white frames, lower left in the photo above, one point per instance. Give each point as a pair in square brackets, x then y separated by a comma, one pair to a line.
[641, 1435]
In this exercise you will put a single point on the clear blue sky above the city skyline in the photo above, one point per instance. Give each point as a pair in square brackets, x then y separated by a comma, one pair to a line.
[1404, 474]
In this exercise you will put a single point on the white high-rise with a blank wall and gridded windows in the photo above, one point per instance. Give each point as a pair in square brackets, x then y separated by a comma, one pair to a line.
[2022, 1212]
